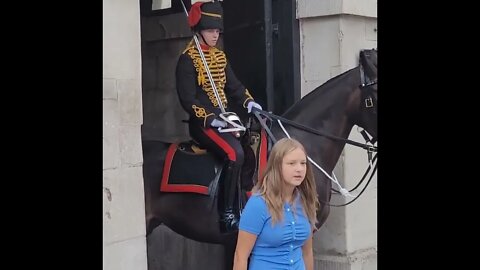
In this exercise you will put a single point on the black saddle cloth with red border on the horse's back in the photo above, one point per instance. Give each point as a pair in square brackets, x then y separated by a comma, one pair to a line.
[190, 168]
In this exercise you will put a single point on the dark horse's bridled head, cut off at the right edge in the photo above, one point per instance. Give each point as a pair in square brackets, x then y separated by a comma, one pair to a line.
[368, 89]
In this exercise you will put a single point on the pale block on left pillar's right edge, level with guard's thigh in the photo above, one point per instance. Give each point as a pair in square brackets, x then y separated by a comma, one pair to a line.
[130, 146]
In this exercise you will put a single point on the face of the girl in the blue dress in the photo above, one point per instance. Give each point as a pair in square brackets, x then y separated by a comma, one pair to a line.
[294, 167]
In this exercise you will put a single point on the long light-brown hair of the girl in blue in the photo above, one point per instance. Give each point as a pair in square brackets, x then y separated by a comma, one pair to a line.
[272, 184]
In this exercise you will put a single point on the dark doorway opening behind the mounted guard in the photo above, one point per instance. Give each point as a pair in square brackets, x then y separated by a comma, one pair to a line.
[261, 42]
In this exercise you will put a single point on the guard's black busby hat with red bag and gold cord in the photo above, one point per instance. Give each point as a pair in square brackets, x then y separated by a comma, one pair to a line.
[206, 15]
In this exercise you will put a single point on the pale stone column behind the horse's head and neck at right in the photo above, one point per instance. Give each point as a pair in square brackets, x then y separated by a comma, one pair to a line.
[332, 33]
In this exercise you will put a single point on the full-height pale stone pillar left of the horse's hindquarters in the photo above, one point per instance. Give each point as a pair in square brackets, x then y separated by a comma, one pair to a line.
[124, 244]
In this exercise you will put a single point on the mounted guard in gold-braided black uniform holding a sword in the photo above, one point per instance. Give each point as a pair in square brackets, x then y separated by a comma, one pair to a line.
[205, 85]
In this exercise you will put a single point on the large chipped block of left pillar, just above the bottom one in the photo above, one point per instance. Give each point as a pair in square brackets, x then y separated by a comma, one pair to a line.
[123, 204]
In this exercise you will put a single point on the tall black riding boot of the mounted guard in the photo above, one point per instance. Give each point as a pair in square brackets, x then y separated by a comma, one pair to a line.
[229, 219]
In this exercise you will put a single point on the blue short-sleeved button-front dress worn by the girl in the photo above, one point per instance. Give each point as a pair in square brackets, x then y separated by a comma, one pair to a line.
[280, 246]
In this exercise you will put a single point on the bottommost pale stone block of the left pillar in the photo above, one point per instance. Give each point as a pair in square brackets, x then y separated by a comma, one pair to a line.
[126, 255]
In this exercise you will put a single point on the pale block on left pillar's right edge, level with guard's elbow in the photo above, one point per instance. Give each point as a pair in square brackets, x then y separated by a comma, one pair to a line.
[130, 102]
